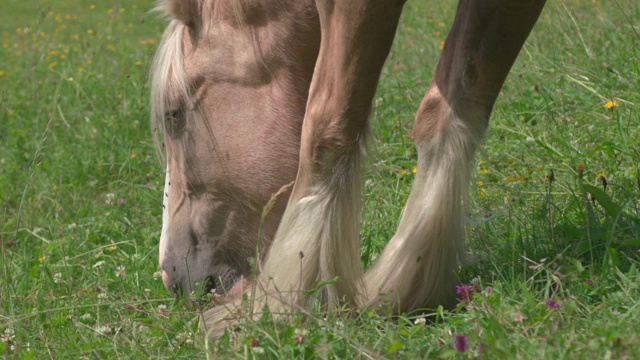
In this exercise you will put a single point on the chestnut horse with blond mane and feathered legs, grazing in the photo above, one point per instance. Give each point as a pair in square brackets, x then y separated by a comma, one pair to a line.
[261, 108]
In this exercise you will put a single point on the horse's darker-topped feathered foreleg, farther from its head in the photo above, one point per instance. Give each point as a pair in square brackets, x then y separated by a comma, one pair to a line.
[418, 268]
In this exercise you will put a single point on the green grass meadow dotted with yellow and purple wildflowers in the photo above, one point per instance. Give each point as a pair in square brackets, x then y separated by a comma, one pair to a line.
[81, 196]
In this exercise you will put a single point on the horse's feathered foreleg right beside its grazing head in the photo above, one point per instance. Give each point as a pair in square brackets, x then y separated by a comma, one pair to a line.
[318, 239]
